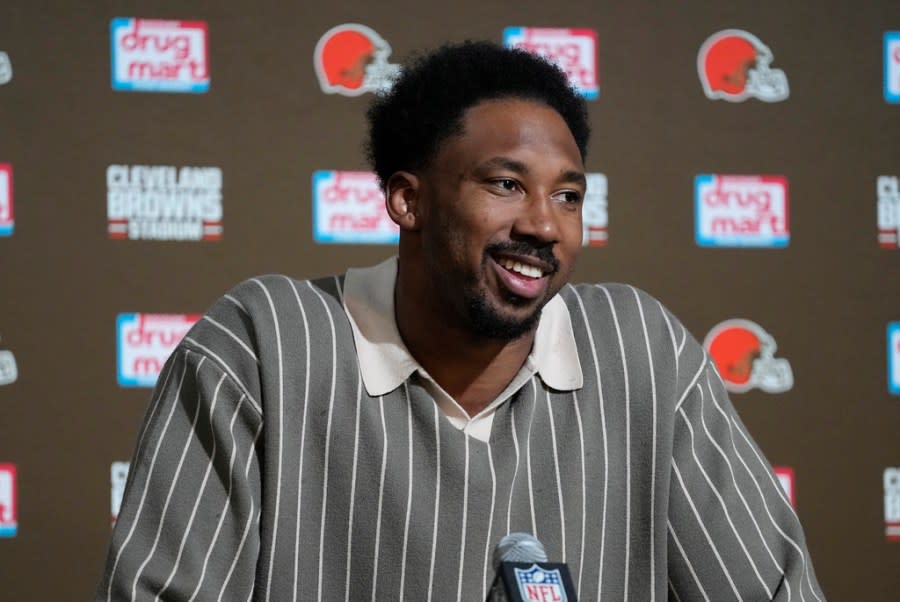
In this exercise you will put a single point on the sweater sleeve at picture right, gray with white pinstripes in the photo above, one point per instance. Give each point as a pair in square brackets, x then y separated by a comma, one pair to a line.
[732, 534]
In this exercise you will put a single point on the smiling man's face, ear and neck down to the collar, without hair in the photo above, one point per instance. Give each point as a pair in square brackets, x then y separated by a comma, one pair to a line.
[490, 232]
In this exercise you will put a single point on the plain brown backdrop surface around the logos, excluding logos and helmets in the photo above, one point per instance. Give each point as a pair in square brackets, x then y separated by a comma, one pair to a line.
[826, 298]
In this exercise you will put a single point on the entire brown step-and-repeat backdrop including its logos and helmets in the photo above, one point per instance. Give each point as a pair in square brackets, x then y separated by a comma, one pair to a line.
[745, 169]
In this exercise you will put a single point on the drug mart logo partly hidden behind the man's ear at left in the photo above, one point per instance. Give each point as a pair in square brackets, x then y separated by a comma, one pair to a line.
[348, 208]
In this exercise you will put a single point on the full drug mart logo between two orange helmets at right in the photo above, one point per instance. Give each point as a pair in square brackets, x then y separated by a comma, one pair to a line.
[741, 211]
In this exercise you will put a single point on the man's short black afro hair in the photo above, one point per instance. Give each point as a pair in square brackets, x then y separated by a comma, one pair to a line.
[426, 104]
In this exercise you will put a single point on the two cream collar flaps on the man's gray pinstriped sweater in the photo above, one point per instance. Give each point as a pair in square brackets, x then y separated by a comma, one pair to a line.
[386, 363]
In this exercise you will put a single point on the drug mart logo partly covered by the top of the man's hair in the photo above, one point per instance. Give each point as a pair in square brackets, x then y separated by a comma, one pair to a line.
[574, 50]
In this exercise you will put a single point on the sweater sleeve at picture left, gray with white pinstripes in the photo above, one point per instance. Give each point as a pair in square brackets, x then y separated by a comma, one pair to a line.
[188, 525]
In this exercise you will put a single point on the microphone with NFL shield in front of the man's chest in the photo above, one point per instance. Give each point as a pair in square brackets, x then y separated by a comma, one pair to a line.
[524, 575]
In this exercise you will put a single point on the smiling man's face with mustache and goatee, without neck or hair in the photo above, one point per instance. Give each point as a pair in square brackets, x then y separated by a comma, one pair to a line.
[502, 216]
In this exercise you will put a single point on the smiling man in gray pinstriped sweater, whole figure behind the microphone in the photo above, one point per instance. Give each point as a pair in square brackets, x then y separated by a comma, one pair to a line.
[373, 436]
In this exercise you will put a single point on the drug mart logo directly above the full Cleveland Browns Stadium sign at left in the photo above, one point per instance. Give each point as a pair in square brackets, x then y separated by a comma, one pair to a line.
[151, 55]
